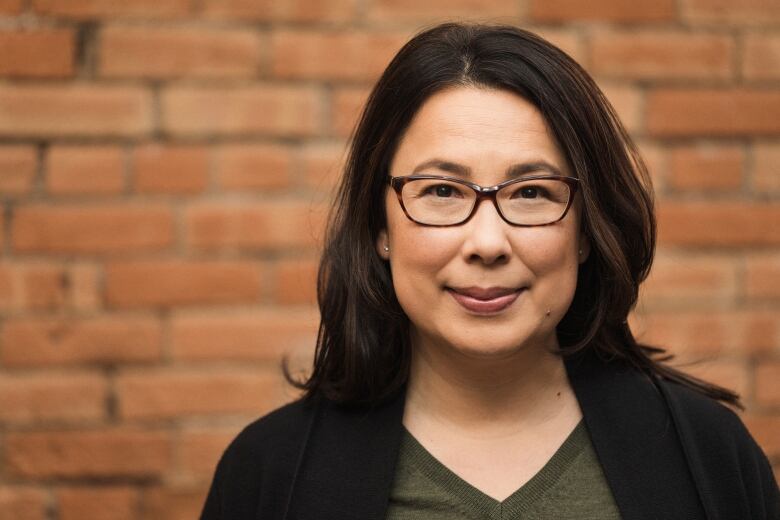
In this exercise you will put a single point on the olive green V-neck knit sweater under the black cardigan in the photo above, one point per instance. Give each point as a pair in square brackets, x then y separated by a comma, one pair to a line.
[570, 486]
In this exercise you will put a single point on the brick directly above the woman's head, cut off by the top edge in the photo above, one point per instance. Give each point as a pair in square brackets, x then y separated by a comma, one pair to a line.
[440, 10]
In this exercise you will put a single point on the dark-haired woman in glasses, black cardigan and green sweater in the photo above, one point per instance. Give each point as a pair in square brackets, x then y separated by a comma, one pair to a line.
[491, 230]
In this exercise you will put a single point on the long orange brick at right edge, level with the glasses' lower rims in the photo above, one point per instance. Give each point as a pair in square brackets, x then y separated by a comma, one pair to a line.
[718, 224]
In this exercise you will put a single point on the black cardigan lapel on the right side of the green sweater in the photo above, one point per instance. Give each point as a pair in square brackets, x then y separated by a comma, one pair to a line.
[635, 440]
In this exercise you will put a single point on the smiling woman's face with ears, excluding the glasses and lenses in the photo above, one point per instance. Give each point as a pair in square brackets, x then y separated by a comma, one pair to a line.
[443, 275]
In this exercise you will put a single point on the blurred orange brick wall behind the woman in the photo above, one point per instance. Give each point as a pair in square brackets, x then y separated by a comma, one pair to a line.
[165, 166]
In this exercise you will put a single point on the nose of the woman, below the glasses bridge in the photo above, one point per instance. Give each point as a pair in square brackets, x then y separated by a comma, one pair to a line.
[486, 236]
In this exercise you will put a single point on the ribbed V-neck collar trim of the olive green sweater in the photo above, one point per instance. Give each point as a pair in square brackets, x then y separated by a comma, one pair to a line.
[483, 505]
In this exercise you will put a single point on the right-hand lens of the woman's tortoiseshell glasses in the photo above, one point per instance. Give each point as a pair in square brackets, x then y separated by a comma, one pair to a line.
[534, 202]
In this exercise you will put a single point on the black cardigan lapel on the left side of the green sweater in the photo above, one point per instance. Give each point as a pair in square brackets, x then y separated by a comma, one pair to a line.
[349, 463]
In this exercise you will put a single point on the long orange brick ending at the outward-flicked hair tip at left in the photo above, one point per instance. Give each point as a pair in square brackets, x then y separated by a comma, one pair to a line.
[175, 393]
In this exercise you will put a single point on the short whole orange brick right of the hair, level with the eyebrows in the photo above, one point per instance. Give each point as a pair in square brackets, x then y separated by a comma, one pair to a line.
[708, 167]
